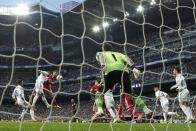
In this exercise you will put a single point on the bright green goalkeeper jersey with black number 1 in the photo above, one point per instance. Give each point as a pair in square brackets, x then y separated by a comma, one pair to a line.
[113, 61]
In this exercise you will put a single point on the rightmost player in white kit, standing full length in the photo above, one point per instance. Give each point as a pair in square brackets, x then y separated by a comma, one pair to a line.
[183, 94]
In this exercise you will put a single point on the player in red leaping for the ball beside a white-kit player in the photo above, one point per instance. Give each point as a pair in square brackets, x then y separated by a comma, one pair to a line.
[47, 87]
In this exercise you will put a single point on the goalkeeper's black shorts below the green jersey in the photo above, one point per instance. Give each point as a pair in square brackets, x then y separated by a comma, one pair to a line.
[118, 76]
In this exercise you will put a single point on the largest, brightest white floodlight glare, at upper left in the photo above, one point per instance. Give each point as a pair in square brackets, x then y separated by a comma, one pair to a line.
[21, 10]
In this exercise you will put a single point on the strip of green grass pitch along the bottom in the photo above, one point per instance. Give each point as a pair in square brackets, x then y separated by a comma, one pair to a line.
[37, 126]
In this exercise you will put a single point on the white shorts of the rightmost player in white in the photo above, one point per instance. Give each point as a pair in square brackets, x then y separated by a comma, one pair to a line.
[184, 95]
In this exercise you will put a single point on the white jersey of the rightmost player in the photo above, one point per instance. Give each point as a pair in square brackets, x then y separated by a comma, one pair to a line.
[180, 83]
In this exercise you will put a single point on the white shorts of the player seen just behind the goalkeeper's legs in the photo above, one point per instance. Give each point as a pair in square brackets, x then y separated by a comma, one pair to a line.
[109, 101]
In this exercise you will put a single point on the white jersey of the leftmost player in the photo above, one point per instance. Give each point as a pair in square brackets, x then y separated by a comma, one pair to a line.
[18, 94]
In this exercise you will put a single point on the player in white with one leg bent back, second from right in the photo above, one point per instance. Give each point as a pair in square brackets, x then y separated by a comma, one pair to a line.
[163, 98]
